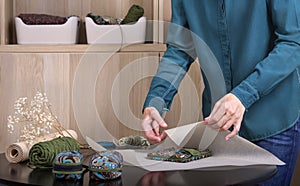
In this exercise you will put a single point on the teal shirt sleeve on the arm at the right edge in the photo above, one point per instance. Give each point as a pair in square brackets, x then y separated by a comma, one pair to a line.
[282, 60]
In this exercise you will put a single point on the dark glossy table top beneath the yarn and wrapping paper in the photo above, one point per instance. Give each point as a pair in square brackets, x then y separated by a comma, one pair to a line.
[20, 174]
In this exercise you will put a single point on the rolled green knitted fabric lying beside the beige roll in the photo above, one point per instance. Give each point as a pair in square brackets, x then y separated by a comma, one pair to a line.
[42, 154]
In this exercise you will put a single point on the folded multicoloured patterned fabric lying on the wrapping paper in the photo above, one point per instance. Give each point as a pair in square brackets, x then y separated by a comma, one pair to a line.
[182, 155]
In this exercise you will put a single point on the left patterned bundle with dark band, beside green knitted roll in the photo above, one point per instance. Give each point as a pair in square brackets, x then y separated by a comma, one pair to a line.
[68, 165]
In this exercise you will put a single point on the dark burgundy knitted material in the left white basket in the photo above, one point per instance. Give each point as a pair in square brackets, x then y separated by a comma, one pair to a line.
[42, 19]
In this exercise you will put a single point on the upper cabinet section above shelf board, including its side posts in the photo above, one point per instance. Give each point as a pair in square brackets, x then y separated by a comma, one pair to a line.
[158, 12]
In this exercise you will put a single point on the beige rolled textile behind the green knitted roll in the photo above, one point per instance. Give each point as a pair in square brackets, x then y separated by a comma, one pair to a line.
[18, 152]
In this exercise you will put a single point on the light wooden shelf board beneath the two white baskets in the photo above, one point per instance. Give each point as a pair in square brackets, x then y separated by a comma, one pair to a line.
[80, 48]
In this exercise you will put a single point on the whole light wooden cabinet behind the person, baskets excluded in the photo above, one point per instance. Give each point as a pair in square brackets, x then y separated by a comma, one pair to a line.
[118, 88]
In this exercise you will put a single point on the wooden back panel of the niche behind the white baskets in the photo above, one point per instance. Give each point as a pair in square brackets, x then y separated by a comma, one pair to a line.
[116, 8]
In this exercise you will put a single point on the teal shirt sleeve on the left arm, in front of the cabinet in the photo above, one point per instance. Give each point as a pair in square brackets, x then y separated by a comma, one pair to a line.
[174, 63]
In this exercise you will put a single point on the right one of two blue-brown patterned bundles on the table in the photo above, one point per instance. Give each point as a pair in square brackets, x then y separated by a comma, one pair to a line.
[106, 165]
